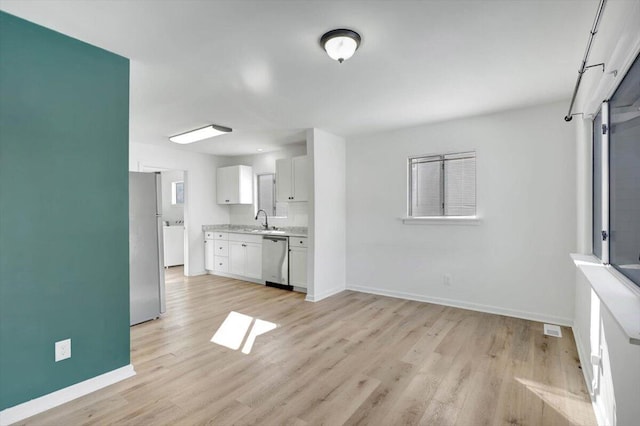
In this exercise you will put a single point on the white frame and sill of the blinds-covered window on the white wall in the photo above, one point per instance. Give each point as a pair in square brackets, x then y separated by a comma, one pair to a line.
[441, 158]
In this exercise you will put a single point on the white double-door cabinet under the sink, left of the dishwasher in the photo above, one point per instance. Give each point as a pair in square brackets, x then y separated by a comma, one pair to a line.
[245, 255]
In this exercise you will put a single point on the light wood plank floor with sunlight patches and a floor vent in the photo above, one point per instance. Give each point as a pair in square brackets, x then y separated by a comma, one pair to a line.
[350, 359]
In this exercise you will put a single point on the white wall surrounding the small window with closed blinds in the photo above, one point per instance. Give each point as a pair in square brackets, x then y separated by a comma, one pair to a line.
[516, 261]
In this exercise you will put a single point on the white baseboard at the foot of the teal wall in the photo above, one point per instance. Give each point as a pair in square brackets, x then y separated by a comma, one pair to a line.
[59, 397]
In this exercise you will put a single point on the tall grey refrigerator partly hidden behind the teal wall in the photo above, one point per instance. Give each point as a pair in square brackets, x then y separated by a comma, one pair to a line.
[146, 269]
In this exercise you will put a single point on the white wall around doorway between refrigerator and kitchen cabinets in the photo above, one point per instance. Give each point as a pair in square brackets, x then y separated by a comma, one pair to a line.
[200, 182]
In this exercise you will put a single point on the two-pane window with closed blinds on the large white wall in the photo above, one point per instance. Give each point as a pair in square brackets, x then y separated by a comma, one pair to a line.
[442, 185]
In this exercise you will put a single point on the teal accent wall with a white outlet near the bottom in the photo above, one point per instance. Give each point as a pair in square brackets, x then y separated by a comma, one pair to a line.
[64, 237]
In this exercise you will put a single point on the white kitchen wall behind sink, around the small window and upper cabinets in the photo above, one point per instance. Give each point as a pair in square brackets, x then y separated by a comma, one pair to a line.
[266, 163]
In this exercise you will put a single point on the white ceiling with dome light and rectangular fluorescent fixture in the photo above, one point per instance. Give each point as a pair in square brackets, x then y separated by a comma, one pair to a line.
[257, 66]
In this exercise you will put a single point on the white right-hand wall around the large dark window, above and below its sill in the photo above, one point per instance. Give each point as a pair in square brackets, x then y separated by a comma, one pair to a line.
[615, 393]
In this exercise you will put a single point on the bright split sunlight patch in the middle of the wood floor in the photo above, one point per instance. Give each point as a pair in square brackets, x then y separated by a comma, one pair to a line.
[238, 328]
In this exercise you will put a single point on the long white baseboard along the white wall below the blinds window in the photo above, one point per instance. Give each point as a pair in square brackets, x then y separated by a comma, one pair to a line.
[532, 316]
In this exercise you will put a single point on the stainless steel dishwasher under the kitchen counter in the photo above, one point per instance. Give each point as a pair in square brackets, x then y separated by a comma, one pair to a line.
[275, 261]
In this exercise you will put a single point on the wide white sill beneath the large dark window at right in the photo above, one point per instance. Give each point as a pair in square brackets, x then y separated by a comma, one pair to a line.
[618, 295]
